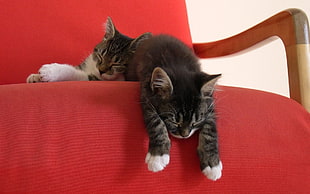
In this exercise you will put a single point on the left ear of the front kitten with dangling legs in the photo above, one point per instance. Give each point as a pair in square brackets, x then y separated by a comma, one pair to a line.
[161, 83]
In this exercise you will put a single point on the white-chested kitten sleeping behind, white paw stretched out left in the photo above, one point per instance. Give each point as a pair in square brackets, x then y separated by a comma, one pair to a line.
[108, 61]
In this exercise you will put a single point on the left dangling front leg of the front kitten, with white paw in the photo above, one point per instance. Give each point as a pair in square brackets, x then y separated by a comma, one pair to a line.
[158, 156]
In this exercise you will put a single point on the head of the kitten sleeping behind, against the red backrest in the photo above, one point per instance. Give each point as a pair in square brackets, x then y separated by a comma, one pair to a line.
[113, 53]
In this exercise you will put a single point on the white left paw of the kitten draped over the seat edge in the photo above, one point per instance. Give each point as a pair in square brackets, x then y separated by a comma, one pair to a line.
[157, 163]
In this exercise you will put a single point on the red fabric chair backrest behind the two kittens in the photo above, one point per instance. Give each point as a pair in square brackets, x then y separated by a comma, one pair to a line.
[37, 32]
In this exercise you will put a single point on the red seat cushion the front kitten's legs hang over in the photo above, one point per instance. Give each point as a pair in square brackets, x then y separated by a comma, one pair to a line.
[89, 136]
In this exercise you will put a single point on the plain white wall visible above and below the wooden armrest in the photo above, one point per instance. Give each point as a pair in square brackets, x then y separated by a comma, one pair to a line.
[263, 68]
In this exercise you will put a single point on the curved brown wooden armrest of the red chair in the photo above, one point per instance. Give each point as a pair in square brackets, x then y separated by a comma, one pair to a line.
[292, 27]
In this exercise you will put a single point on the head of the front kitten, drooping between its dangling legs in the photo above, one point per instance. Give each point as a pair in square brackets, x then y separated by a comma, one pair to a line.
[187, 106]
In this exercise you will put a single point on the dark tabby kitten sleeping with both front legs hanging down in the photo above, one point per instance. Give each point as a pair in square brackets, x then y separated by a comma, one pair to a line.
[176, 97]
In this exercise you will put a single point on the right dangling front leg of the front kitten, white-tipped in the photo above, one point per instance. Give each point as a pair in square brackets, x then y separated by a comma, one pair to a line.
[210, 163]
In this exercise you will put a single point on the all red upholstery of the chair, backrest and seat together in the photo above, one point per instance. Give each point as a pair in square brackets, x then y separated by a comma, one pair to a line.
[89, 136]
